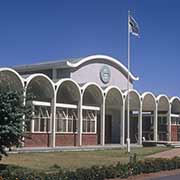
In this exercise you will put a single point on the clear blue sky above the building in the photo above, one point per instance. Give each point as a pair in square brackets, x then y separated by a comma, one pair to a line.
[34, 31]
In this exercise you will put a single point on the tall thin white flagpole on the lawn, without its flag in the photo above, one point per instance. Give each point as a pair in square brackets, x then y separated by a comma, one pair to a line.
[128, 86]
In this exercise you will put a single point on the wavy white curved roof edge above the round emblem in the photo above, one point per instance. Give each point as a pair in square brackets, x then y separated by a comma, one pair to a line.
[104, 57]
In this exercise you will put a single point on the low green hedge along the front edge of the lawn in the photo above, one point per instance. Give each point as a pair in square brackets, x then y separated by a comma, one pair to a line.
[94, 173]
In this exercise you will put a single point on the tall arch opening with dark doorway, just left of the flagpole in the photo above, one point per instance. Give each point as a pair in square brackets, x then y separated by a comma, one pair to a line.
[113, 112]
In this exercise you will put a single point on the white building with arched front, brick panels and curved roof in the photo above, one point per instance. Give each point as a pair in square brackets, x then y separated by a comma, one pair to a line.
[84, 102]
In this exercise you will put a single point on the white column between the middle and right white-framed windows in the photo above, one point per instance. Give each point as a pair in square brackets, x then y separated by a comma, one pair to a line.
[80, 119]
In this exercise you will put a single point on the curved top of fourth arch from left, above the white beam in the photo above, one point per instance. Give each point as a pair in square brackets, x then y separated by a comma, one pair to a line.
[92, 94]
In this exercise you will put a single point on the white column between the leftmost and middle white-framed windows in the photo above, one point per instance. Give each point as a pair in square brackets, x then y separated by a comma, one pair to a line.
[53, 121]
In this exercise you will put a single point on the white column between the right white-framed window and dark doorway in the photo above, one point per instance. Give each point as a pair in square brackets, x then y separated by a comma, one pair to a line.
[102, 139]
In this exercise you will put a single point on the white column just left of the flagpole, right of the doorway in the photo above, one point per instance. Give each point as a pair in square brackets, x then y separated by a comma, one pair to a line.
[122, 128]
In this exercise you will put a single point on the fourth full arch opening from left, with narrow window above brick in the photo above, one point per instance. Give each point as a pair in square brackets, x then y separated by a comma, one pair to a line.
[92, 100]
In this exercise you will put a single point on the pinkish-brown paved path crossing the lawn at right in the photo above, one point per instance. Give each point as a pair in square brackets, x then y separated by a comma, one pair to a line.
[166, 154]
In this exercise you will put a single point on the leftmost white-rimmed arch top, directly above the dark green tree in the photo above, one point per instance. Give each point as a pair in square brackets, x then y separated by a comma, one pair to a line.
[11, 78]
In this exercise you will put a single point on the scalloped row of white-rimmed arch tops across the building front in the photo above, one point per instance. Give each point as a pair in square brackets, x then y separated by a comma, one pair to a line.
[11, 78]
